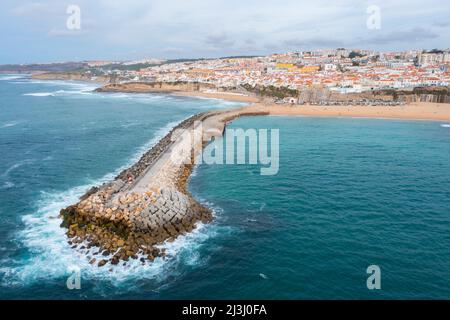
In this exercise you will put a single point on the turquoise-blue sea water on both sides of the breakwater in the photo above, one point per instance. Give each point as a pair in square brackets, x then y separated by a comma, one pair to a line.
[349, 193]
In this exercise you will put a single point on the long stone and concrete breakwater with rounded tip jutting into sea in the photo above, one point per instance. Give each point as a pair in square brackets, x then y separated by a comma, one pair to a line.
[147, 203]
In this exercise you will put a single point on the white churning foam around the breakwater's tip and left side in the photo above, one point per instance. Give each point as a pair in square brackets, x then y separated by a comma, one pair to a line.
[51, 255]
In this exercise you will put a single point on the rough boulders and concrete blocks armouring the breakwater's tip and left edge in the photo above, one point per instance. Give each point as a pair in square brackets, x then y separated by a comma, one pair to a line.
[109, 217]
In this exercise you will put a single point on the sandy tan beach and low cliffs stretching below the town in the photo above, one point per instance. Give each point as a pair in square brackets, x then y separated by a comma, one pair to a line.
[427, 111]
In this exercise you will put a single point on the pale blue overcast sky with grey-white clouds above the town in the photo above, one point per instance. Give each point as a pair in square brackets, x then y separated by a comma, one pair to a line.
[35, 31]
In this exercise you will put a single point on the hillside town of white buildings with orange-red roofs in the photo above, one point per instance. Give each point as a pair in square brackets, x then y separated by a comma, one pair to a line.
[339, 70]
